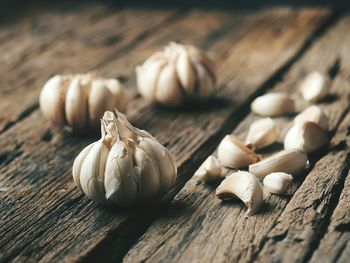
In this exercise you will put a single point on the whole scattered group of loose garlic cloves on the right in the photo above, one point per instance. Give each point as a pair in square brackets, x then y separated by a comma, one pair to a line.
[273, 174]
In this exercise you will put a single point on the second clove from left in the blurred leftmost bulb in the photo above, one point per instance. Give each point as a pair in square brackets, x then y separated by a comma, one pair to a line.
[76, 105]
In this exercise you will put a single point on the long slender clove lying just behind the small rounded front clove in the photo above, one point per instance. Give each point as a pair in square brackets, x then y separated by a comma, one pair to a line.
[288, 161]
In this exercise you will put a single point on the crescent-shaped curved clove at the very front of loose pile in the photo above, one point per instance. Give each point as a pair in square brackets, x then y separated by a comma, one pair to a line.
[246, 187]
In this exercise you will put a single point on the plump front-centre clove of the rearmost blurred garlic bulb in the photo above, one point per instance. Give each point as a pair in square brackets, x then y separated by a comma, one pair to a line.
[168, 91]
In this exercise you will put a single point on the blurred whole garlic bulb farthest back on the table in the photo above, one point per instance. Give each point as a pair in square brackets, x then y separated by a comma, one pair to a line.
[177, 73]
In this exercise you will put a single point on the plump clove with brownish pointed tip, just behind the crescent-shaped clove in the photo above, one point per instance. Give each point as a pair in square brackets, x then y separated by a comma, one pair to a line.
[234, 154]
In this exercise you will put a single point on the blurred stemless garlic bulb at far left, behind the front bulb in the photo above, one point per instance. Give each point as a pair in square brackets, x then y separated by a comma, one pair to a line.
[79, 101]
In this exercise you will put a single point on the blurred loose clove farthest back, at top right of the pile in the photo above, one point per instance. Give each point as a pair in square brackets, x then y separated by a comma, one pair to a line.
[315, 86]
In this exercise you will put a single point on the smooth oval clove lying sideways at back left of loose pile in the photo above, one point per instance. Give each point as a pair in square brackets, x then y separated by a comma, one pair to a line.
[273, 104]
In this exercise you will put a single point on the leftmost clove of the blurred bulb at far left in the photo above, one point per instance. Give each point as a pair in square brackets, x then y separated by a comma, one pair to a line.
[52, 100]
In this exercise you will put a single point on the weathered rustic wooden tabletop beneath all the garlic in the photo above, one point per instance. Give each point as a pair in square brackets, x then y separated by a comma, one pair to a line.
[43, 217]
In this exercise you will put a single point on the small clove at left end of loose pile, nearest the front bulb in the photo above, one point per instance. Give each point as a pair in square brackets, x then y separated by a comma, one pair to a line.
[209, 171]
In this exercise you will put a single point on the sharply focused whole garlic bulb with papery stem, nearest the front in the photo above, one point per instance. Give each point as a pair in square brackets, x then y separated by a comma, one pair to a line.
[126, 166]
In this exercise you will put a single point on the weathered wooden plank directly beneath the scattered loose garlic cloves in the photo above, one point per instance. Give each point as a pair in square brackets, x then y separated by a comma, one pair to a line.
[199, 228]
